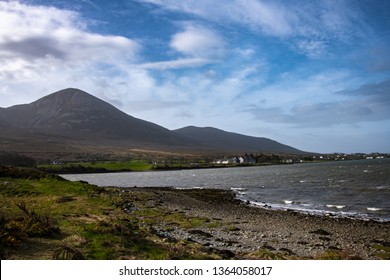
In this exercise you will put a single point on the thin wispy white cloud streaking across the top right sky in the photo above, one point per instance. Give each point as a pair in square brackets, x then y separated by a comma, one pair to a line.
[308, 27]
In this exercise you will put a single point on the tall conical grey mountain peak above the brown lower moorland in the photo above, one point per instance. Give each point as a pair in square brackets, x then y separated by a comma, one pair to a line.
[79, 115]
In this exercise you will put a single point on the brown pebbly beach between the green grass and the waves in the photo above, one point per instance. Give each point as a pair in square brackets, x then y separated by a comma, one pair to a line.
[243, 231]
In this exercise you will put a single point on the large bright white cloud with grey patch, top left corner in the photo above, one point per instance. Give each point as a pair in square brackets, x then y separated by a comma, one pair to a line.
[35, 40]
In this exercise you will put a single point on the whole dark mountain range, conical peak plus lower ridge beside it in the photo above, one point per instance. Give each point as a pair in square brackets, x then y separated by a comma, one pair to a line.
[73, 121]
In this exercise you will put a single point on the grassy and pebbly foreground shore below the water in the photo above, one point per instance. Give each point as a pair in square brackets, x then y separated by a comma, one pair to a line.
[43, 216]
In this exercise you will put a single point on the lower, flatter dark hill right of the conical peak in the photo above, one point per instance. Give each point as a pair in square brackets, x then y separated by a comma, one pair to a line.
[233, 142]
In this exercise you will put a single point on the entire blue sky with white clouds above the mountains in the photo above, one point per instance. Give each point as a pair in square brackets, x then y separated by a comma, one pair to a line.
[312, 74]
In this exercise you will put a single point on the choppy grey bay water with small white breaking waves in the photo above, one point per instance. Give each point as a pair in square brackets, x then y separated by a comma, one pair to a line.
[348, 188]
